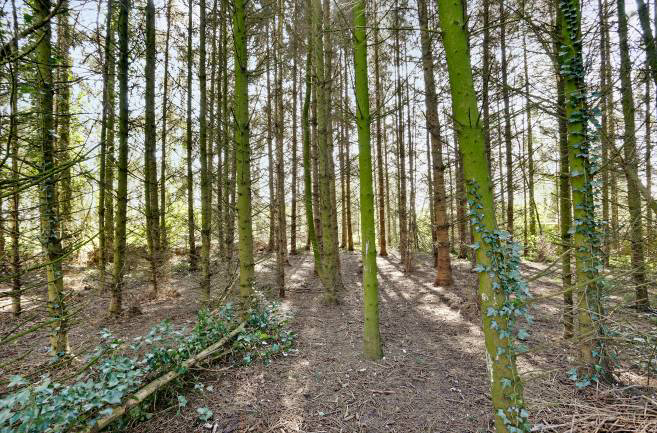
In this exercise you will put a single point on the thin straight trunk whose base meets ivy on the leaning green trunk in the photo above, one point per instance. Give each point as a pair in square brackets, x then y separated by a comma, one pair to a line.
[507, 121]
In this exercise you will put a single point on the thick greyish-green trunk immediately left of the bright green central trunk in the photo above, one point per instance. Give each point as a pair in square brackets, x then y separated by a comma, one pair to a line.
[330, 257]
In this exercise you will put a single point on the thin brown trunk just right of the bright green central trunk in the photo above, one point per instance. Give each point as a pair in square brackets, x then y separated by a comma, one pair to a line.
[383, 248]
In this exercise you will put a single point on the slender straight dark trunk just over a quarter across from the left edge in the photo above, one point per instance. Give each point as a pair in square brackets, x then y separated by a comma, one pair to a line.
[191, 226]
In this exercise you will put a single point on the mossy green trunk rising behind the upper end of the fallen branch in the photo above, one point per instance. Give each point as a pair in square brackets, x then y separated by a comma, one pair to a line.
[243, 152]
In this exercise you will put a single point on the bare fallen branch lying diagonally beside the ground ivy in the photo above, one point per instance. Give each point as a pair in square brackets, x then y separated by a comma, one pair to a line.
[158, 383]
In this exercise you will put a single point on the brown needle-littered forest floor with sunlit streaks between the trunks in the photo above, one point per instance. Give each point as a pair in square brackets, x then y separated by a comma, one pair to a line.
[433, 377]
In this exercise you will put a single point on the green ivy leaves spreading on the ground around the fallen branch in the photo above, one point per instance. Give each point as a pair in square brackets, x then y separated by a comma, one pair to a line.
[47, 406]
